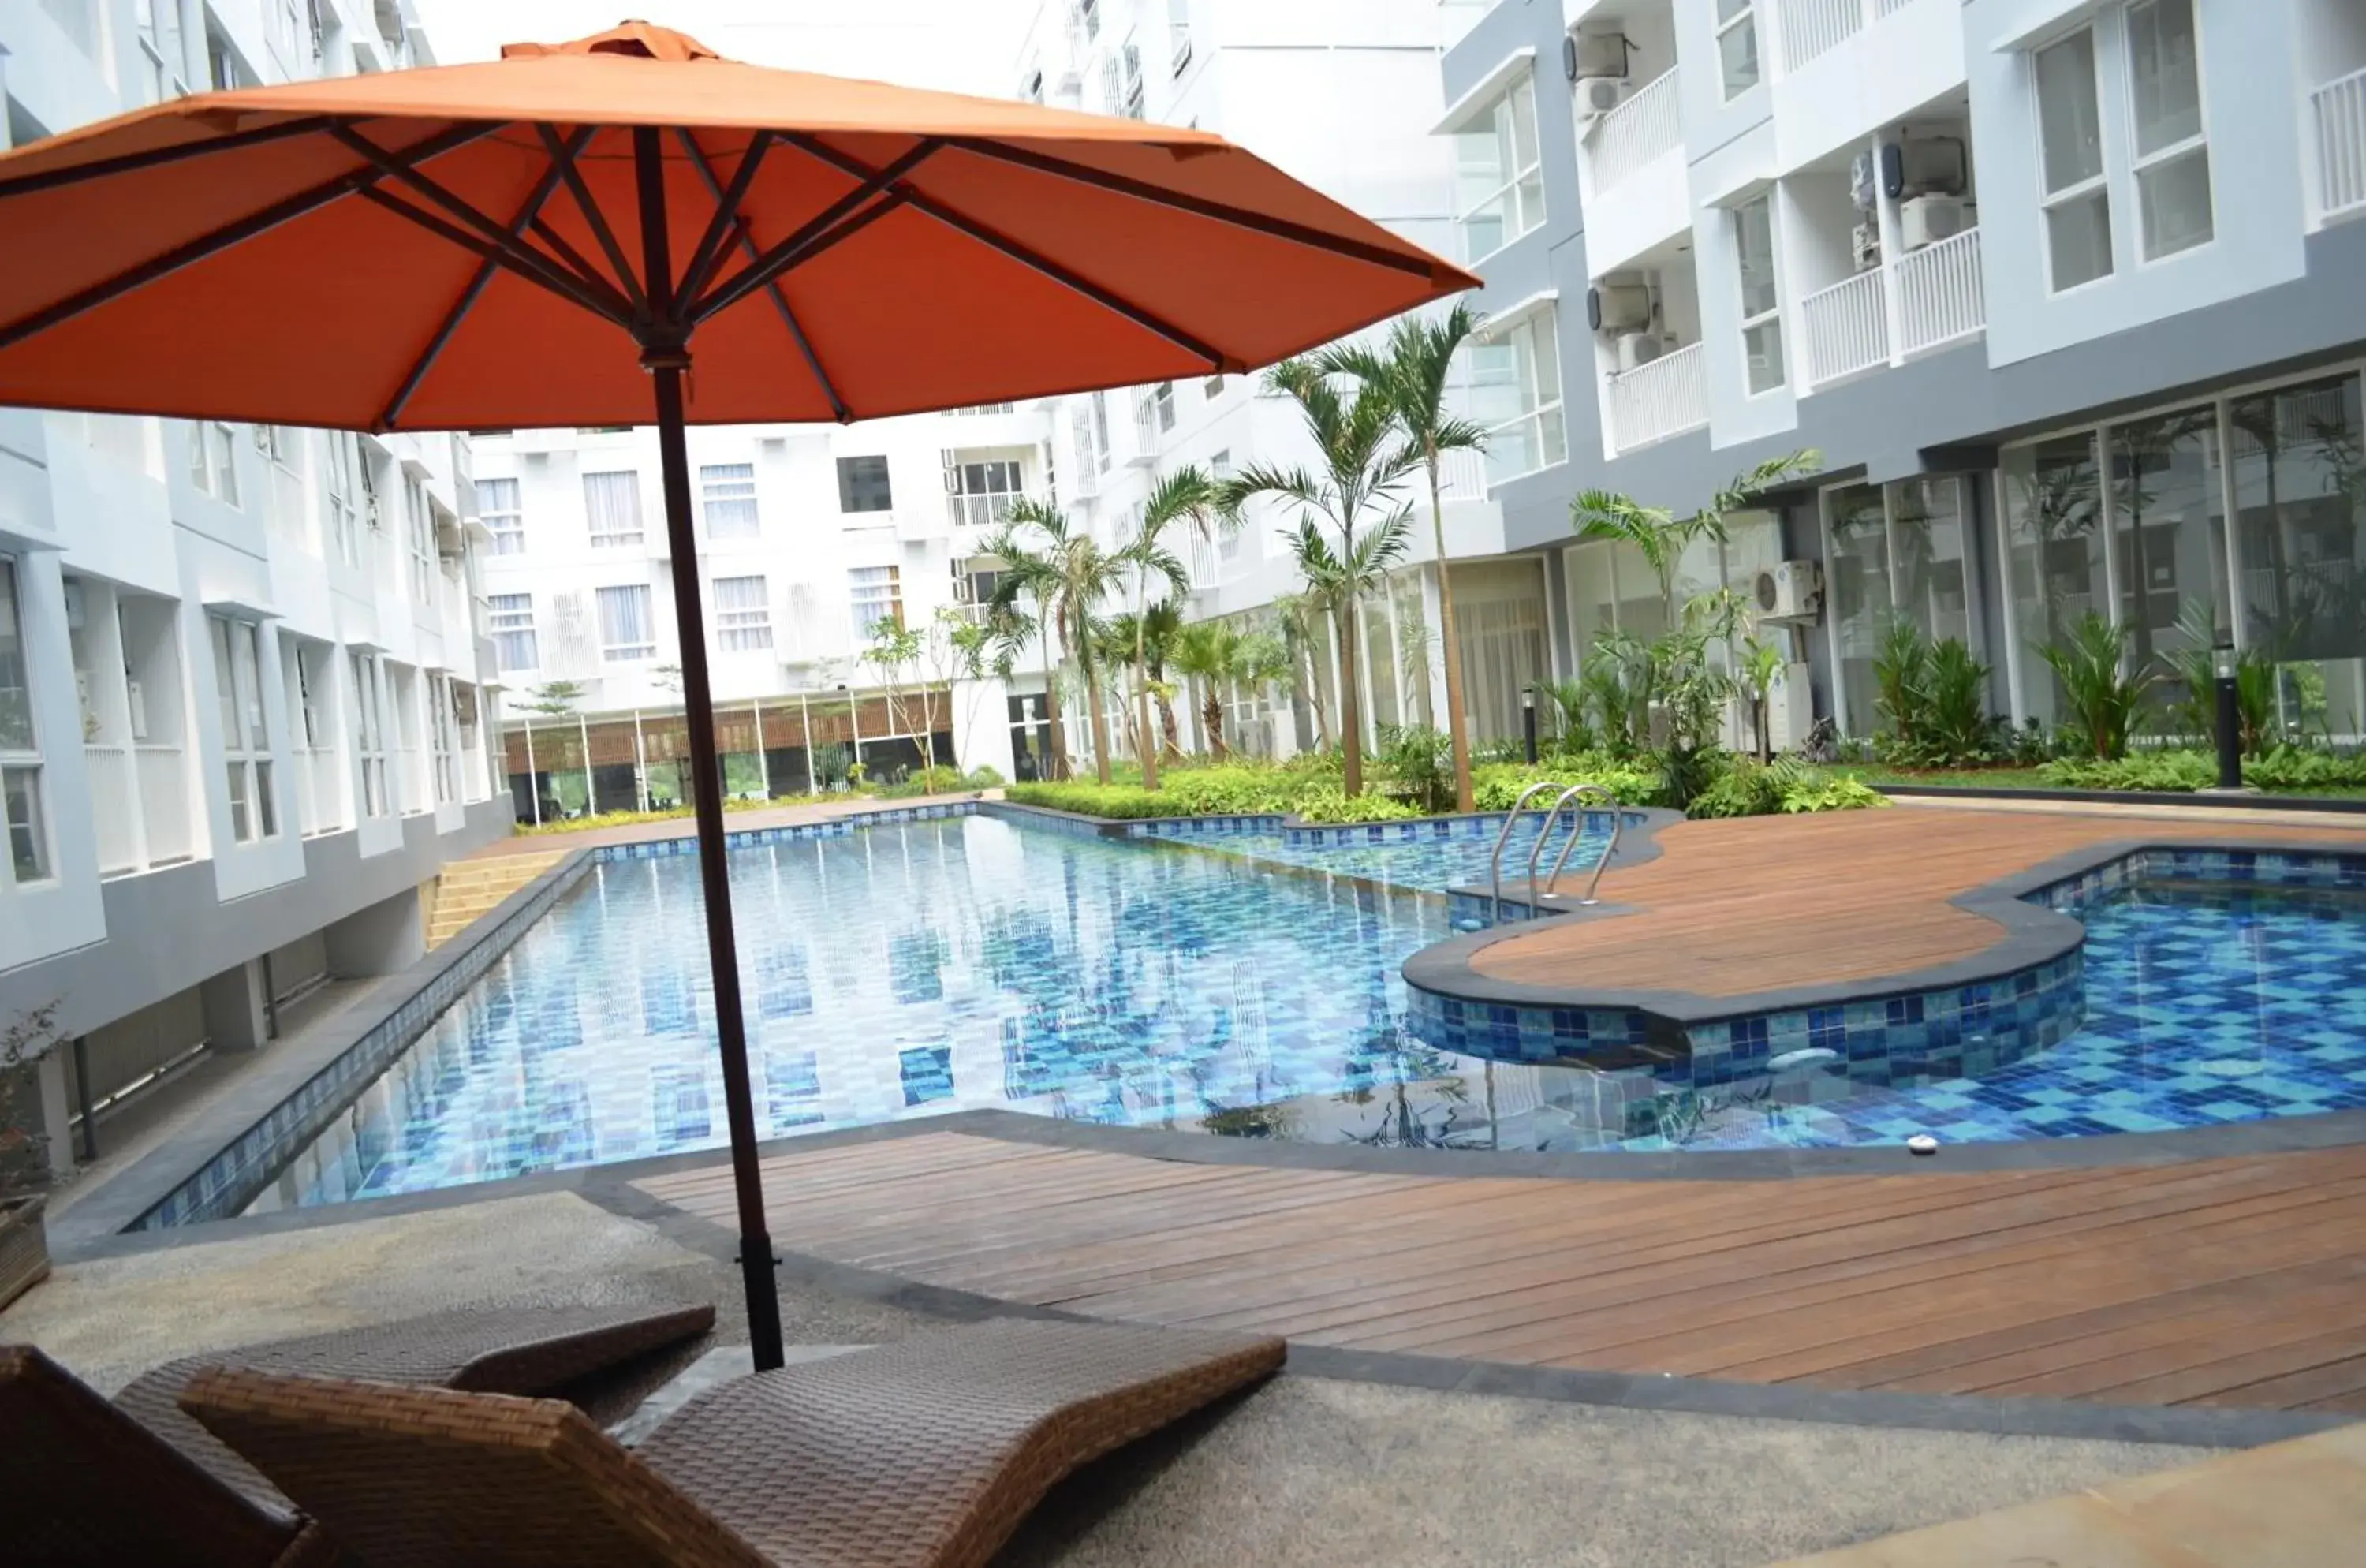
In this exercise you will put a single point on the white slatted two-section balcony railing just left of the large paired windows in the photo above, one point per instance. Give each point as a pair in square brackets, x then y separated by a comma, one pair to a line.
[1887, 316]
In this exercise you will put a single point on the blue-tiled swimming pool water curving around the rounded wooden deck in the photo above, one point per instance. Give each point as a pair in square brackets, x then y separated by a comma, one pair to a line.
[1250, 987]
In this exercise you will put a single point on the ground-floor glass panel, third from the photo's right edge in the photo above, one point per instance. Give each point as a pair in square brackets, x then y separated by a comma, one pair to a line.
[2053, 507]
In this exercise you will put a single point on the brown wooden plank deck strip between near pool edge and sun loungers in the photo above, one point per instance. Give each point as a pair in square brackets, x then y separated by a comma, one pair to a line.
[2228, 1283]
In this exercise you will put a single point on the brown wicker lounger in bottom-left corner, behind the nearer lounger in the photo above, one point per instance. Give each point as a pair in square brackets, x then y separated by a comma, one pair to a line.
[138, 1482]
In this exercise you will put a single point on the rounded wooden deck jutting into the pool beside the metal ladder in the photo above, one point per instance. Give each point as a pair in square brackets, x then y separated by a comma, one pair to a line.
[1757, 905]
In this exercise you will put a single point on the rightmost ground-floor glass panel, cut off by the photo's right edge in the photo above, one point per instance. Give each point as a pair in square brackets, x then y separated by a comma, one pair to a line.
[2301, 531]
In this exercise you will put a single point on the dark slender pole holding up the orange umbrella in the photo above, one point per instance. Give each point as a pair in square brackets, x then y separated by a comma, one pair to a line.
[666, 368]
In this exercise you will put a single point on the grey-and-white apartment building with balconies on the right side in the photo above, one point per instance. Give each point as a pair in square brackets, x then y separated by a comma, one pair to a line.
[2064, 292]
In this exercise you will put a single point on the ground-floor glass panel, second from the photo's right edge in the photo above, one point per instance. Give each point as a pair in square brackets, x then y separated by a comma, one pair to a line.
[2168, 536]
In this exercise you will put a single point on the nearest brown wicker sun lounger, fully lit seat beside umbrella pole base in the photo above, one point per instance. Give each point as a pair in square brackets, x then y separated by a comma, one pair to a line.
[926, 1451]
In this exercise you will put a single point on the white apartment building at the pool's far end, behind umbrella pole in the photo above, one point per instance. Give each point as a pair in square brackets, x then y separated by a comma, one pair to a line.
[808, 536]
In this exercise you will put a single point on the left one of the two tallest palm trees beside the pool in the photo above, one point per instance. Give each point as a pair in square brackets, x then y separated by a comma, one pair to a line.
[1355, 498]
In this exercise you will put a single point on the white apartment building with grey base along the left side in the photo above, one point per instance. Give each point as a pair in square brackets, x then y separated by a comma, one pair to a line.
[245, 692]
